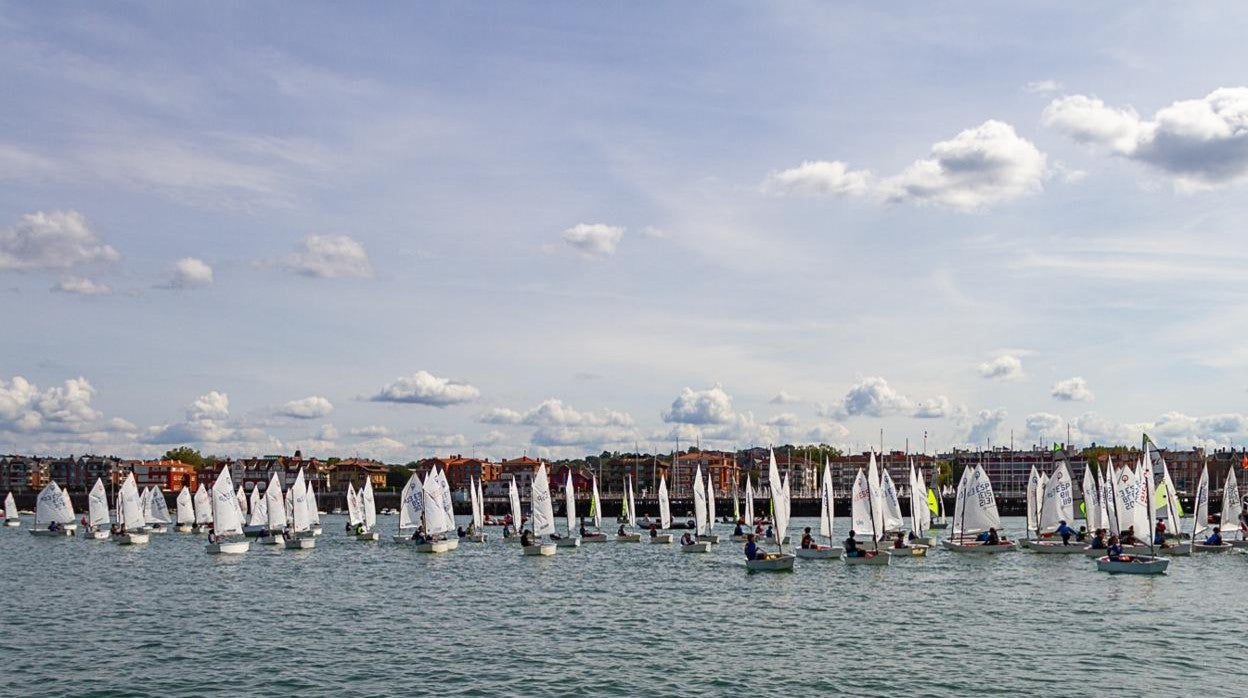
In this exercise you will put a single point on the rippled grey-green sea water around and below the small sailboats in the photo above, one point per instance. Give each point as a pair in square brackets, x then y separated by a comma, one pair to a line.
[95, 619]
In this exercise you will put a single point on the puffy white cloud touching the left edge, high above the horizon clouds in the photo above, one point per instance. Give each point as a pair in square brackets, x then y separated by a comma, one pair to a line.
[51, 242]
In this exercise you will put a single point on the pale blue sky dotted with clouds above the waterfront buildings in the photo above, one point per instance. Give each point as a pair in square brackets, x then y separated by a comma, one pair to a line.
[400, 230]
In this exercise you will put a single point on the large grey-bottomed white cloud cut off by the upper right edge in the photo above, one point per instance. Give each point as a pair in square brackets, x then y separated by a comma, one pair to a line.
[1201, 143]
